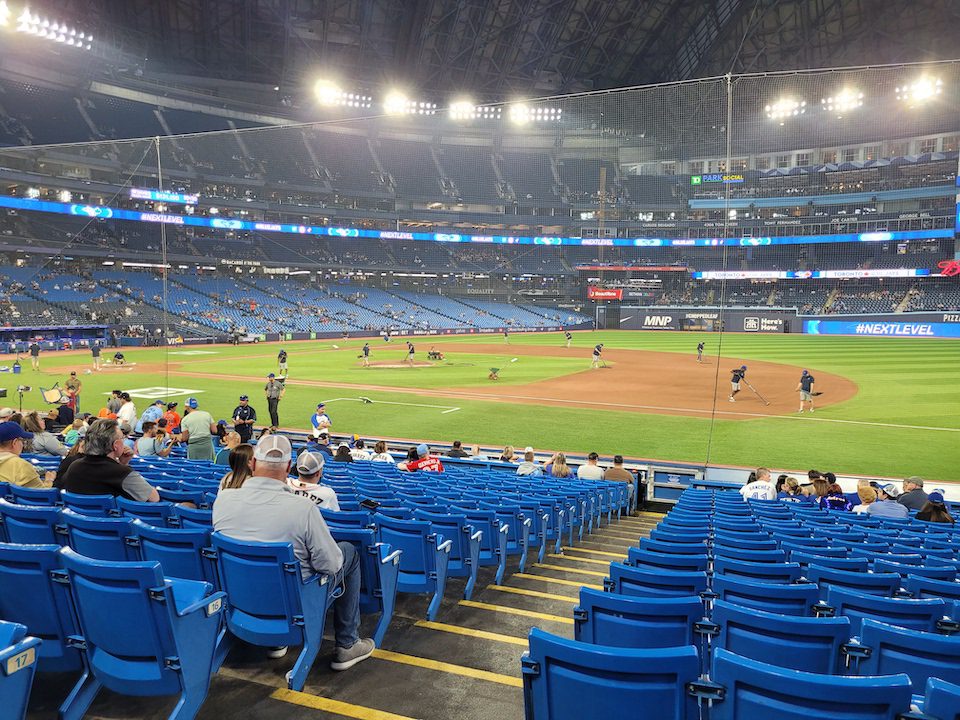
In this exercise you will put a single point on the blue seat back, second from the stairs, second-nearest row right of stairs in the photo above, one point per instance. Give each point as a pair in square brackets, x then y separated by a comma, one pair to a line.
[801, 643]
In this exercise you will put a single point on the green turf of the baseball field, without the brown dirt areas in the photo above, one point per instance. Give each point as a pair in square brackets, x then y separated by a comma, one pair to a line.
[902, 382]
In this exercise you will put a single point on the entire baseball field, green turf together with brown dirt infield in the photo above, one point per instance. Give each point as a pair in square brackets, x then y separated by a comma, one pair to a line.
[889, 407]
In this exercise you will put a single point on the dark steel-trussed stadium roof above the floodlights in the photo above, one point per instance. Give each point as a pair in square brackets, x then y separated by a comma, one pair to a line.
[500, 49]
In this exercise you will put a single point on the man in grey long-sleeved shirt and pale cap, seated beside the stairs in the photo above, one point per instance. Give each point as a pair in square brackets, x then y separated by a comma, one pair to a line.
[265, 509]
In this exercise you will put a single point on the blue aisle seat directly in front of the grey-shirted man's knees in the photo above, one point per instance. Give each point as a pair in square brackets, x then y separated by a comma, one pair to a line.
[379, 573]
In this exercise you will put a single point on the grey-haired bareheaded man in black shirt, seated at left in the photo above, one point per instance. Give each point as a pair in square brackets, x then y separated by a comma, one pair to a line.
[103, 468]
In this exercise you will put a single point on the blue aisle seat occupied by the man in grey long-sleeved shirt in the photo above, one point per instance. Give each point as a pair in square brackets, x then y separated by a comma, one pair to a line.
[269, 602]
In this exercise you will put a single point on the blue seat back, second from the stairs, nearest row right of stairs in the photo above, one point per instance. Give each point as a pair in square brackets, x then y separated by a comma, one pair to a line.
[758, 690]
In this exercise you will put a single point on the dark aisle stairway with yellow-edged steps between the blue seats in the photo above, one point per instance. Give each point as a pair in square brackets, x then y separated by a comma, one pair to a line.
[465, 665]
